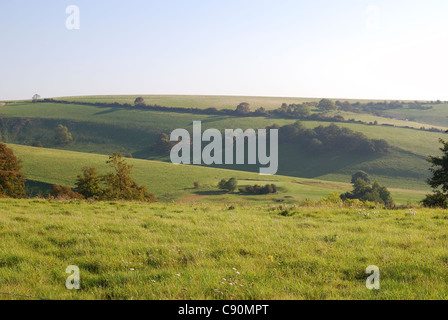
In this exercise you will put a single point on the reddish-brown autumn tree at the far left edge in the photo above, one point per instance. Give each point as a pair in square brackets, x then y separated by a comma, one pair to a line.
[12, 182]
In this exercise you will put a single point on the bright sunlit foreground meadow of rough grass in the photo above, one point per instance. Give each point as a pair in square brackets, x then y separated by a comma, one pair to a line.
[160, 251]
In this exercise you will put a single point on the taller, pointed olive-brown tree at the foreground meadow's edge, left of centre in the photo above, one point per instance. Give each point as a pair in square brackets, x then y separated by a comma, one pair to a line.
[120, 185]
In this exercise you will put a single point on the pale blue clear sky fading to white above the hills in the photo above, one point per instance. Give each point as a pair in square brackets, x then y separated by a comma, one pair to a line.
[353, 49]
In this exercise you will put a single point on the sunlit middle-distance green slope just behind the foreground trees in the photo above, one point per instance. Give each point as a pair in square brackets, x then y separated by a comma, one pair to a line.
[175, 183]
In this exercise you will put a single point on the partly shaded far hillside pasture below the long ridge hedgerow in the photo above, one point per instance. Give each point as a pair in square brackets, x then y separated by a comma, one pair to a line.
[105, 130]
